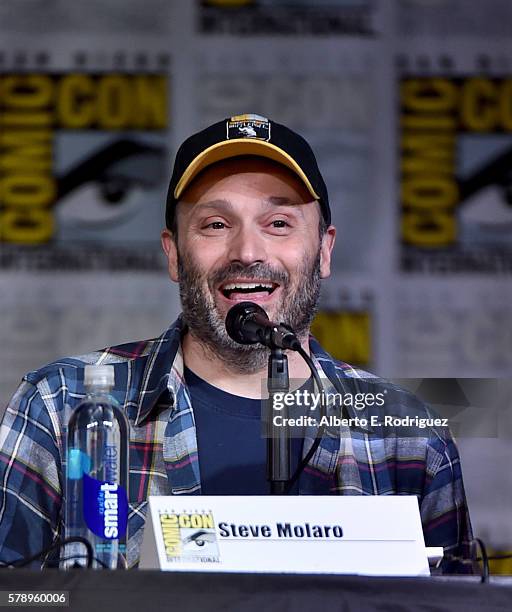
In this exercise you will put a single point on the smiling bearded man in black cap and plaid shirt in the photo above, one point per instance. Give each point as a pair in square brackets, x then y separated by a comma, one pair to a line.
[247, 218]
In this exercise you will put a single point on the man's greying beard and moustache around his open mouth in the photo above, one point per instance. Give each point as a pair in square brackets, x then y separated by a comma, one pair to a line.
[206, 324]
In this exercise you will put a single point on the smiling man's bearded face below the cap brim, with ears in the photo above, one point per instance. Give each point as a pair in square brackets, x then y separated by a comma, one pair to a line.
[247, 231]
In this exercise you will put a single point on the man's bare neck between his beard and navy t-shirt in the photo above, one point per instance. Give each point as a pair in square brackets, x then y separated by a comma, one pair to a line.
[216, 372]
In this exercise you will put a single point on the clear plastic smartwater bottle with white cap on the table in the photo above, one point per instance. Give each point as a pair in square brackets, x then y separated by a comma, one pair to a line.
[97, 475]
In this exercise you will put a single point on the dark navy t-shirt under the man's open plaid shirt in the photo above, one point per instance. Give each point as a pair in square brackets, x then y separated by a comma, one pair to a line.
[232, 451]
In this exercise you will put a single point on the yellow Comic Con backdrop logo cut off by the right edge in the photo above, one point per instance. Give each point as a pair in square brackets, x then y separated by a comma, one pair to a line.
[455, 173]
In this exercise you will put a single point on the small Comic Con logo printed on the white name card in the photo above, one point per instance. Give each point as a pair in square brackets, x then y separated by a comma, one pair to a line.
[189, 536]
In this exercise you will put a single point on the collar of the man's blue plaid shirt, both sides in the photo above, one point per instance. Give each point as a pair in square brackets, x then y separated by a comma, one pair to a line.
[163, 371]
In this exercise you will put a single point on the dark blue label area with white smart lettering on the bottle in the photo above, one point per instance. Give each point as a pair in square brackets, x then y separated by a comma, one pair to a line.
[105, 508]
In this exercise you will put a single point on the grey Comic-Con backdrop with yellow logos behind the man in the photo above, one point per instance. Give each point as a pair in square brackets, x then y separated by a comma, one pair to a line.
[408, 105]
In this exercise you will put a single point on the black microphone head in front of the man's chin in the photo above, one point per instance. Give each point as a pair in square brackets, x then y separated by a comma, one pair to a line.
[248, 323]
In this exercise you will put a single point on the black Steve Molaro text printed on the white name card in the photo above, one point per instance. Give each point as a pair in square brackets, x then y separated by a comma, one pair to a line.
[280, 530]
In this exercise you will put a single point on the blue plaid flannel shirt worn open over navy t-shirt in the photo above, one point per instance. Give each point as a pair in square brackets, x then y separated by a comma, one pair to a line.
[164, 458]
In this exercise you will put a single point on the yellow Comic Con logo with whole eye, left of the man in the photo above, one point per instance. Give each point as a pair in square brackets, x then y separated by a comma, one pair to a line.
[83, 159]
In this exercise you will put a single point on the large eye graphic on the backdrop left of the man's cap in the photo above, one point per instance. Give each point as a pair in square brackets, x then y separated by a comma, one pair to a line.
[103, 190]
